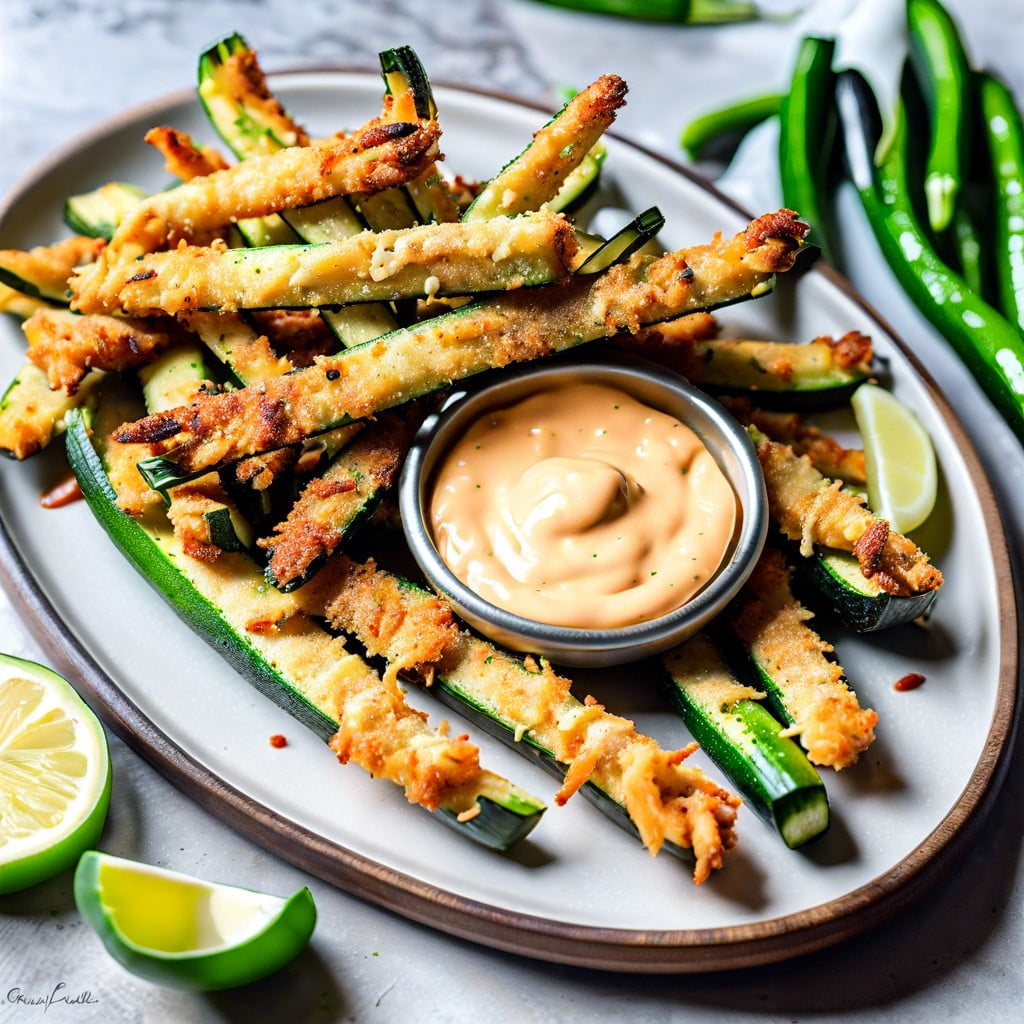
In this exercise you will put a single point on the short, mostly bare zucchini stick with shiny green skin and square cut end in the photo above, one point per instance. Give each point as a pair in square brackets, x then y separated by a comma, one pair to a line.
[727, 718]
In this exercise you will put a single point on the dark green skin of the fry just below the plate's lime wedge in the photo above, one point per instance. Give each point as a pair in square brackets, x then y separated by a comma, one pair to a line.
[861, 612]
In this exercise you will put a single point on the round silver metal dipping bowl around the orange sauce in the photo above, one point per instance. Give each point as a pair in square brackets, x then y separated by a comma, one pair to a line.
[662, 390]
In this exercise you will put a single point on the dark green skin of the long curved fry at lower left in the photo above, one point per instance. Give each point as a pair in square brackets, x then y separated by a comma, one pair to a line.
[497, 827]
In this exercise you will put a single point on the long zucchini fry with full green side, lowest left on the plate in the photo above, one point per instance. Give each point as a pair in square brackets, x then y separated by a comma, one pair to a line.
[293, 661]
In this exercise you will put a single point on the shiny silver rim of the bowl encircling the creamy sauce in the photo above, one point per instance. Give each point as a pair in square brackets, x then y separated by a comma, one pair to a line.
[470, 401]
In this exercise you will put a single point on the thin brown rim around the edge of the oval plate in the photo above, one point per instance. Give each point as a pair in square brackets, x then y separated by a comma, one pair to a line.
[615, 950]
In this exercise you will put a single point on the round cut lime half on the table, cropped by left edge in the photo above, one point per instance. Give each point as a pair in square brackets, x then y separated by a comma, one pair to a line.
[55, 775]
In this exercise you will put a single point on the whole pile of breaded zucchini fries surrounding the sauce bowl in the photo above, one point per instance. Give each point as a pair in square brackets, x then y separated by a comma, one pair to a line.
[285, 362]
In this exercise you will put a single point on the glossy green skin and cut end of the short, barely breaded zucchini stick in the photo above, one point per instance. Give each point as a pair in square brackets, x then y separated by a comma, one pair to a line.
[746, 742]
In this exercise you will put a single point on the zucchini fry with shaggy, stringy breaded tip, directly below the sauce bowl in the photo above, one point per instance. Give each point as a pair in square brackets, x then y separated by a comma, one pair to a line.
[649, 791]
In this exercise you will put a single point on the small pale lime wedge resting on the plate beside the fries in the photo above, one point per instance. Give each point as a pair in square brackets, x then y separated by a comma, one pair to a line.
[903, 478]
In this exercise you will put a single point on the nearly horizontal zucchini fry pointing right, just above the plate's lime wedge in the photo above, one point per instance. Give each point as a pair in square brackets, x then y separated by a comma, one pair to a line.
[824, 372]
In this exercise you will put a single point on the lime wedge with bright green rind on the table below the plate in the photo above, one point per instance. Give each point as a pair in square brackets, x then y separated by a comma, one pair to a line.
[186, 933]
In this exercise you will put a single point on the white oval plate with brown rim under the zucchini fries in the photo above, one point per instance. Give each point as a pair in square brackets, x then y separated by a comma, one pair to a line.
[580, 890]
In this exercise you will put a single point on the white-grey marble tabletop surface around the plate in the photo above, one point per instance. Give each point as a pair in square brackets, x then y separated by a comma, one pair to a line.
[955, 956]
